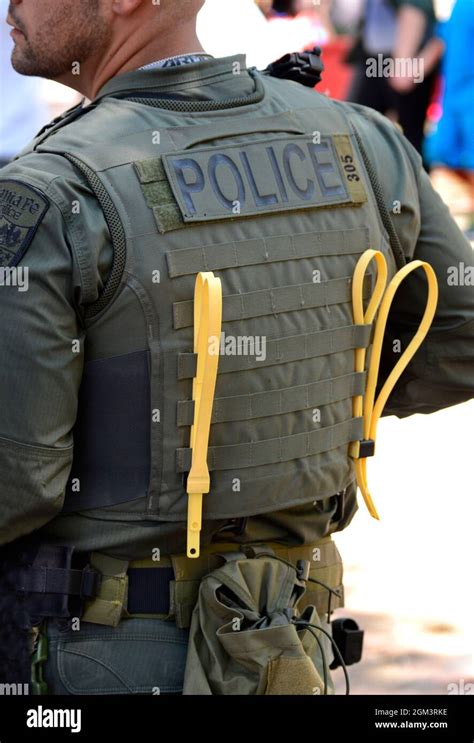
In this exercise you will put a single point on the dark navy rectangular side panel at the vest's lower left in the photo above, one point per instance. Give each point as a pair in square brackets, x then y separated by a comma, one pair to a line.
[112, 434]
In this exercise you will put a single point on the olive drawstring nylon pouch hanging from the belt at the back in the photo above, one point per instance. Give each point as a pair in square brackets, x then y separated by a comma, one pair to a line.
[244, 635]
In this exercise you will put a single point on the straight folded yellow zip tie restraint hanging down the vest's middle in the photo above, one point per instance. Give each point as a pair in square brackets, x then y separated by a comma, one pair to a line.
[207, 327]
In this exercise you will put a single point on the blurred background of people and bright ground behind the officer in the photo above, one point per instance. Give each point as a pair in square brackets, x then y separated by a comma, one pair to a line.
[409, 576]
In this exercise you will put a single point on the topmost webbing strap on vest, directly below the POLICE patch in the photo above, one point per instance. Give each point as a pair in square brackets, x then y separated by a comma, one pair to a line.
[266, 250]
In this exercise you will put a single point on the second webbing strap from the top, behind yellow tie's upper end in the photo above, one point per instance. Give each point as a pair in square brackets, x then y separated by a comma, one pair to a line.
[272, 301]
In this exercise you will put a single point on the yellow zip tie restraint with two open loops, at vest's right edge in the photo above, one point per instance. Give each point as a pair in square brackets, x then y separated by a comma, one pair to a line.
[367, 406]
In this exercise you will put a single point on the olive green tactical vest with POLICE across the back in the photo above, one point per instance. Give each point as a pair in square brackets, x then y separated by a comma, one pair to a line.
[273, 196]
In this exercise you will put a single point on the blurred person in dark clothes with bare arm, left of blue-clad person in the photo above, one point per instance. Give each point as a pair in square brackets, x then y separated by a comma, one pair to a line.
[400, 30]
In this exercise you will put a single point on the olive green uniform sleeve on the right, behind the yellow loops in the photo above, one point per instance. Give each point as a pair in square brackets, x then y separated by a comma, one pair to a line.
[442, 371]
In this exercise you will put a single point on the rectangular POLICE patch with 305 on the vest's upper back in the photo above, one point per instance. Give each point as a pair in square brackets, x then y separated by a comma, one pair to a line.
[269, 176]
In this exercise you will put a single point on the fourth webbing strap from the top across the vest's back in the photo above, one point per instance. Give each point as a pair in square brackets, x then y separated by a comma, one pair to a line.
[277, 402]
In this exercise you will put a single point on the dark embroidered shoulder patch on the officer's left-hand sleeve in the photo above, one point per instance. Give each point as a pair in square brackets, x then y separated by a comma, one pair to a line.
[22, 209]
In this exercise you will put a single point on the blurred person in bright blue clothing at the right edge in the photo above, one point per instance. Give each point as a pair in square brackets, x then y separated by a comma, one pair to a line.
[452, 142]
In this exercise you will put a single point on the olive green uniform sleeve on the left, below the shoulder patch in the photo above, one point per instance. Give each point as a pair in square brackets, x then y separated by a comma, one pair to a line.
[42, 338]
